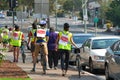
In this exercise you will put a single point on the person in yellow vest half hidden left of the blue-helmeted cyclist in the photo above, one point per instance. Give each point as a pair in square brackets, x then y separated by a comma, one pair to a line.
[31, 39]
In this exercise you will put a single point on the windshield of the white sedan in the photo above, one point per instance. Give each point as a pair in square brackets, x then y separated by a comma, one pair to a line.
[102, 43]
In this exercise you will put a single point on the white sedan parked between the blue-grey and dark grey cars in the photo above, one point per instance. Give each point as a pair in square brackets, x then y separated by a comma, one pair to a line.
[92, 52]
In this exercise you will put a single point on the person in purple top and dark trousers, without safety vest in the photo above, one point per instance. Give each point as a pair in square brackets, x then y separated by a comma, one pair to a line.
[53, 55]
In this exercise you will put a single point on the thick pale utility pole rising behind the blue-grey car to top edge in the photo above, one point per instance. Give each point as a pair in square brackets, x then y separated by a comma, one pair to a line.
[85, 16]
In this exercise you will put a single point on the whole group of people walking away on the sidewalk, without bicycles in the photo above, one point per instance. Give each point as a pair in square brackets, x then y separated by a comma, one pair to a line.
[57, 45]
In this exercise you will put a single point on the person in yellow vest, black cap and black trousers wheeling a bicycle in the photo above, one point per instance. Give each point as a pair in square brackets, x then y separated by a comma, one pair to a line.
[65, 41]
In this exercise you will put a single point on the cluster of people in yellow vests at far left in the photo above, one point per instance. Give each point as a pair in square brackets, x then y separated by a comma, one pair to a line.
[11, 38]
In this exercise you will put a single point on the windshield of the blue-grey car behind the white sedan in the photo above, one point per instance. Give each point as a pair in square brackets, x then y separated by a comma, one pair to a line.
[80, 39]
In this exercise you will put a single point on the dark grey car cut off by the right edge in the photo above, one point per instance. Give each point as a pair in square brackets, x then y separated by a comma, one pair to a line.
[112, 62]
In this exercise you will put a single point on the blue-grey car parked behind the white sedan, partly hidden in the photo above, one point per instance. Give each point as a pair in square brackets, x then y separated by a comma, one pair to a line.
[79, 39]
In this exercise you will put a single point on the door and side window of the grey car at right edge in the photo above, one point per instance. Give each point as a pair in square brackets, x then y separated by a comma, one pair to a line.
[115, 60]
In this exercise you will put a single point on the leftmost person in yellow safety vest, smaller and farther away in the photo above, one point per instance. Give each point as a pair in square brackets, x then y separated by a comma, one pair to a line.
[5, 37]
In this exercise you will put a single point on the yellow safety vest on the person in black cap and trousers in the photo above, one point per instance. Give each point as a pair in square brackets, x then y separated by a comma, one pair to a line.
[64, 42]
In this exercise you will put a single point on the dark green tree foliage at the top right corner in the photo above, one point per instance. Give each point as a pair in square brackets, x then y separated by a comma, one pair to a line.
[113, 13]
